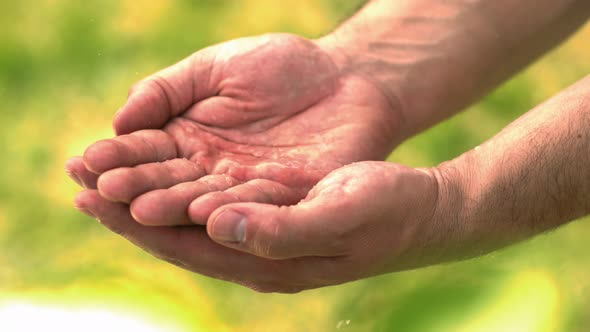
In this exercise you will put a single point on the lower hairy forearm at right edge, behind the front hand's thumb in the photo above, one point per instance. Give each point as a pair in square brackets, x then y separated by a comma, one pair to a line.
[531, 177]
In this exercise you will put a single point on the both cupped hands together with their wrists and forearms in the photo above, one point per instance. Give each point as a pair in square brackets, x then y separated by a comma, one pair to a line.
[279, 135]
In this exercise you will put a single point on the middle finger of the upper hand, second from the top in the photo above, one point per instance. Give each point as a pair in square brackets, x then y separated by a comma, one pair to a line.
[126, 183]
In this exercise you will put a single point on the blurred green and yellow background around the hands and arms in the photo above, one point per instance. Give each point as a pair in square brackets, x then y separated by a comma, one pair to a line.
[65, 68]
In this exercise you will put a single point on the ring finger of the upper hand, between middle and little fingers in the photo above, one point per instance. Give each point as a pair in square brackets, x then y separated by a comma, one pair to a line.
[167, 207]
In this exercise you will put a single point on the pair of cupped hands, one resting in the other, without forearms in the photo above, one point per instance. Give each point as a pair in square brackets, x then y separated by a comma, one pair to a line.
[267, 142]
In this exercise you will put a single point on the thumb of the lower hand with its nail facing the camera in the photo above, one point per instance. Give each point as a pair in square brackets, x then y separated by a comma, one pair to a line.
[309, 228]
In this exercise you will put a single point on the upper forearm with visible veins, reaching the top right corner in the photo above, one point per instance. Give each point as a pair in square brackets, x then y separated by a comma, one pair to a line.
[432, 58]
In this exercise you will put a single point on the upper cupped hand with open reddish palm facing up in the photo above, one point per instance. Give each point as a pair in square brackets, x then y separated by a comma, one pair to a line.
[259, 119]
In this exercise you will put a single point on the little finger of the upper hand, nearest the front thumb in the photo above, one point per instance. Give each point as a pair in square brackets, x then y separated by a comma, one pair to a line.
[258, 190]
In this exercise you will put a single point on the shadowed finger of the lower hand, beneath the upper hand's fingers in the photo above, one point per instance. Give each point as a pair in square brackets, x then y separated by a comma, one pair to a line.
[188, 247]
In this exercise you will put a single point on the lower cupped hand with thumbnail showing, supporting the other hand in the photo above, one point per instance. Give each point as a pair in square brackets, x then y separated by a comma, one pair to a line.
[361, 220]
